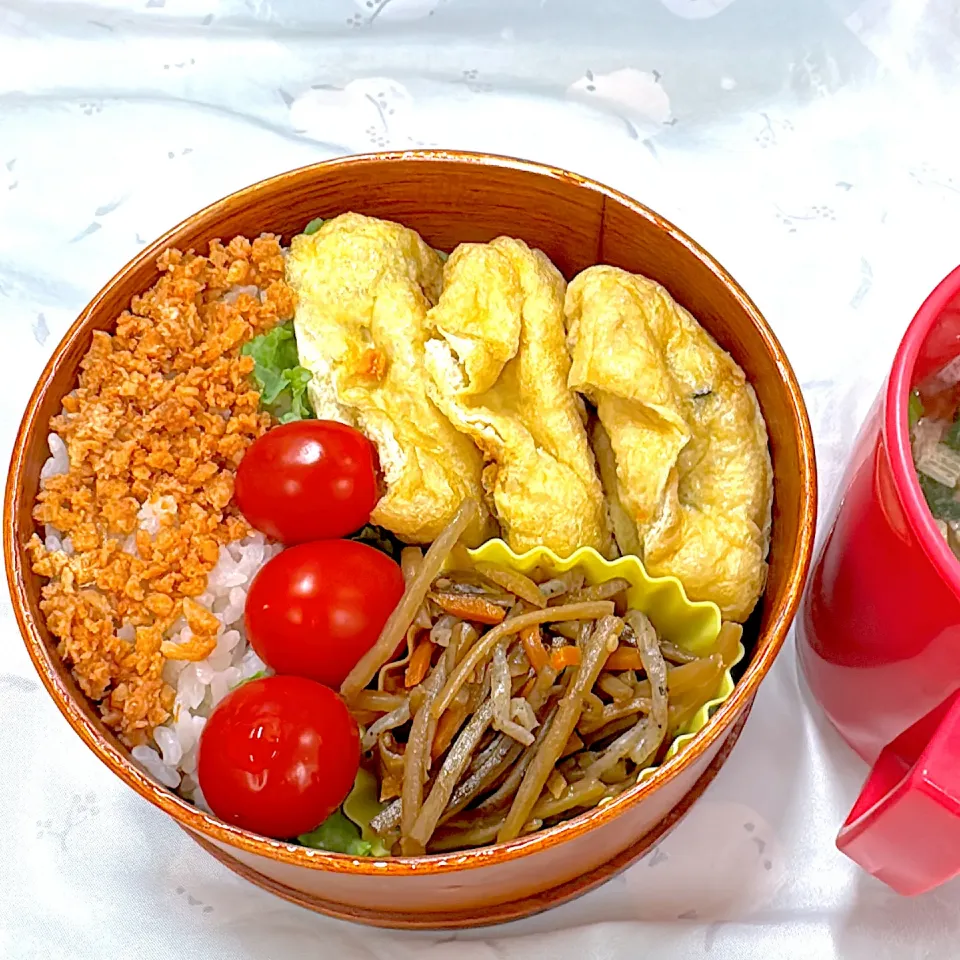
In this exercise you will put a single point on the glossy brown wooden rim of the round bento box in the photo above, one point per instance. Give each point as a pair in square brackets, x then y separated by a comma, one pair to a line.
[106, 306]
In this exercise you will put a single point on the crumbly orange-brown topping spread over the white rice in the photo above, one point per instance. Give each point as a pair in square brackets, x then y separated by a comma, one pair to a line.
[164, 408]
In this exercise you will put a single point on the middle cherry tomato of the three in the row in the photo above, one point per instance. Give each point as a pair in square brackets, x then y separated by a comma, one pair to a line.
[315, 609]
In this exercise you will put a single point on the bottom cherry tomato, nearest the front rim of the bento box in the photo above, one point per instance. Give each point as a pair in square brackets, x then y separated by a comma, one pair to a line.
[278, 755]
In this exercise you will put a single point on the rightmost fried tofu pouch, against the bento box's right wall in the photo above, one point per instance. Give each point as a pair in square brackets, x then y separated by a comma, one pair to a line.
[682, 445]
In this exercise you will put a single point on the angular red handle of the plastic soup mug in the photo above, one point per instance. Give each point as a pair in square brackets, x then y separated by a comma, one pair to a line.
[911, 804]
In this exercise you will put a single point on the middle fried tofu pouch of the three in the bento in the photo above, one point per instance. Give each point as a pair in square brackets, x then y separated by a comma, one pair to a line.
[498, 364]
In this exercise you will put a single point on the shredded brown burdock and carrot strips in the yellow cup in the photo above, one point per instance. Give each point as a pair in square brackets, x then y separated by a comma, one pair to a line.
[534, 697]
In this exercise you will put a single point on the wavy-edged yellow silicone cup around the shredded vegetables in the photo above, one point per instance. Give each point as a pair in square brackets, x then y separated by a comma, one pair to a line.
[690, 624]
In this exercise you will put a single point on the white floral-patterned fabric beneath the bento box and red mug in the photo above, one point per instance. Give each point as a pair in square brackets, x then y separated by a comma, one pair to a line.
[811, 145]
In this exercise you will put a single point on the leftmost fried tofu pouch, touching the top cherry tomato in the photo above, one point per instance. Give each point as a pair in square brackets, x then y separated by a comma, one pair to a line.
[364, 287]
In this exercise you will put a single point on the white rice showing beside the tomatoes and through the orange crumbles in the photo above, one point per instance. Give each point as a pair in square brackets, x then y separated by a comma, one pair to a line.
[202, 685]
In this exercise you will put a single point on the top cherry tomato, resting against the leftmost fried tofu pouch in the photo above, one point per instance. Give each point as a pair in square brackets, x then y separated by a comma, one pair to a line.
[308, 480]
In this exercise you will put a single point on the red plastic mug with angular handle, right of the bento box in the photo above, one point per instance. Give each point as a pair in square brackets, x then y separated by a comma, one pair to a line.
[879, 631]
